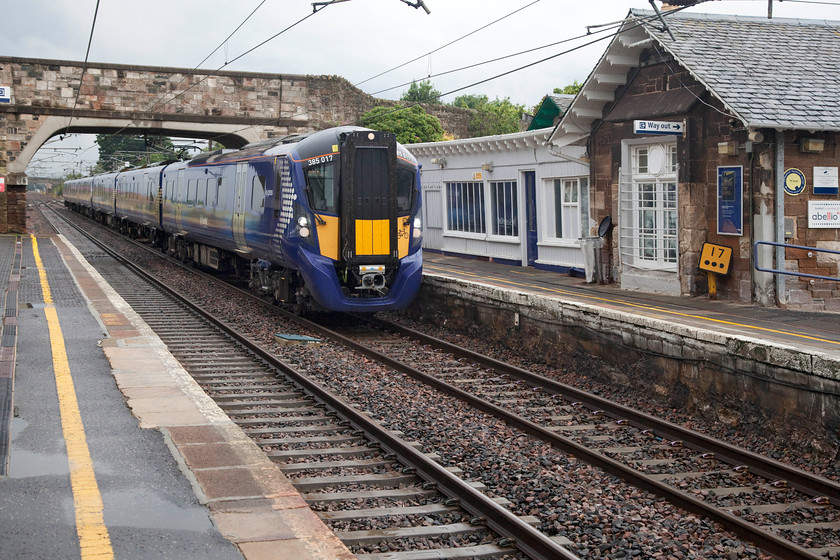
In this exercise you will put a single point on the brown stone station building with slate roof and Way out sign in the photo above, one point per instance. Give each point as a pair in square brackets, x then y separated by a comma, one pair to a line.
[715, 132]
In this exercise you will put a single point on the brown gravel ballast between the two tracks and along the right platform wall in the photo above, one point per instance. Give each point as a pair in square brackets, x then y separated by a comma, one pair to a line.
[602, 516]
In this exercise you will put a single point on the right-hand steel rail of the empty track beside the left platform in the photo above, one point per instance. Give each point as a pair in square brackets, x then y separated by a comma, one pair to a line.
[518, 532]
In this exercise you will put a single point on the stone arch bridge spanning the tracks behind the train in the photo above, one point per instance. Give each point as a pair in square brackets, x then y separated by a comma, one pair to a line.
[233, 108]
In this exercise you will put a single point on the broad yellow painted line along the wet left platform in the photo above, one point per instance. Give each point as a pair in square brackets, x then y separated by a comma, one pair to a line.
[94, 540]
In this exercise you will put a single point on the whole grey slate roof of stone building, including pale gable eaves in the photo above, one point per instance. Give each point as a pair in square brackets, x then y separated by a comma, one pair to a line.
[769, 73]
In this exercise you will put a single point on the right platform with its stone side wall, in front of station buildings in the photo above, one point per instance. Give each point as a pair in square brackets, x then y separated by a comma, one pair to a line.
[728, 359]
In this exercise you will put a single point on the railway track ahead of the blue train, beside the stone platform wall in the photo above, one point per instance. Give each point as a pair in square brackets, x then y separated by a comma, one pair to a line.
[787, 512]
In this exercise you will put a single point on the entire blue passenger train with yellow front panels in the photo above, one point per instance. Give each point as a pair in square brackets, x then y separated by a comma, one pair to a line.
[324, 221]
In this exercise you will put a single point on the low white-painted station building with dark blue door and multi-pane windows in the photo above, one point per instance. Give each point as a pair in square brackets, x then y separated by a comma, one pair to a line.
[512, 198]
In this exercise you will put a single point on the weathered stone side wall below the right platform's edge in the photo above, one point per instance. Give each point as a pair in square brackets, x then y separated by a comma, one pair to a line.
[735, 378]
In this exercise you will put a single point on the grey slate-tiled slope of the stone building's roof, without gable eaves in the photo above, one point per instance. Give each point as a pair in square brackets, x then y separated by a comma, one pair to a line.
[776, 73]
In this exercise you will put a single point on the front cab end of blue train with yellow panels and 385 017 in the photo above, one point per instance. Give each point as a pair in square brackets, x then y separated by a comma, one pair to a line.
[375, 261]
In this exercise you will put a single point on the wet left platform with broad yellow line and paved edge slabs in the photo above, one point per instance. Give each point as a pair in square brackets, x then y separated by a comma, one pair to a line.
[108, 449]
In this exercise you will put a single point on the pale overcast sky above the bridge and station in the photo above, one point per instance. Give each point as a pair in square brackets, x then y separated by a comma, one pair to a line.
[378, 45]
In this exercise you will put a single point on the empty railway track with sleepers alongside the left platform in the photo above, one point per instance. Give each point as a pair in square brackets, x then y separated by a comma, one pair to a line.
[383, 497]
